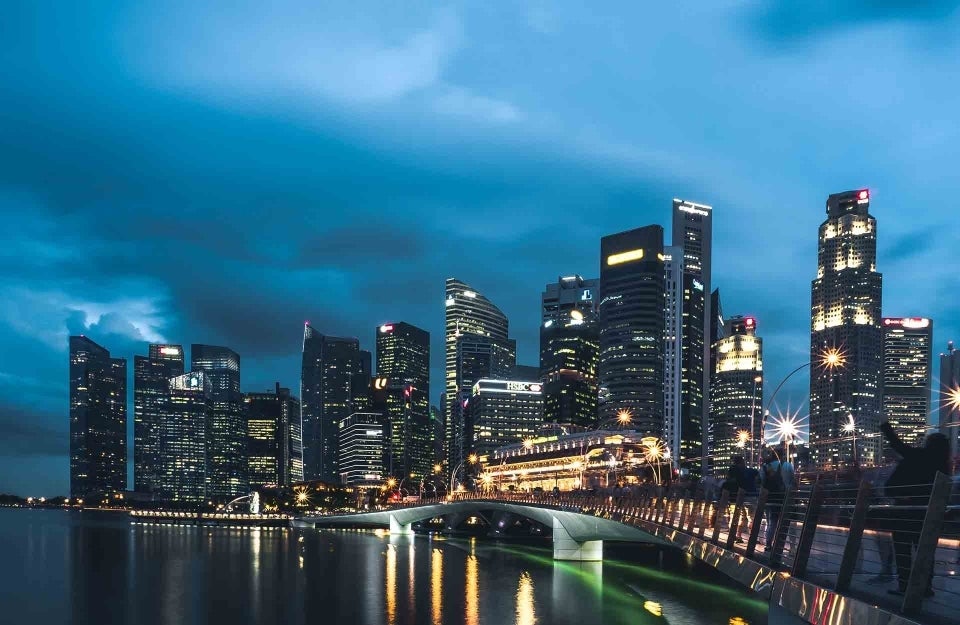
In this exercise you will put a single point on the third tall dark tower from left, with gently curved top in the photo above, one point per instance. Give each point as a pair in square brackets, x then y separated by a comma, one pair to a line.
[226, 431]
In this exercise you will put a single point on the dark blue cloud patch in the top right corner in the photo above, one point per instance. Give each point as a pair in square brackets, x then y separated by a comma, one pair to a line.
[787, 19]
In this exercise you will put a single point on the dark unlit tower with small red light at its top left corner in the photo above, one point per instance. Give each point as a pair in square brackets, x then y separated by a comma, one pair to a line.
[334, 379]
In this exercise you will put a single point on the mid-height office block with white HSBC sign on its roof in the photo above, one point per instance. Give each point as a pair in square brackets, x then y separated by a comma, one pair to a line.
[501, 412]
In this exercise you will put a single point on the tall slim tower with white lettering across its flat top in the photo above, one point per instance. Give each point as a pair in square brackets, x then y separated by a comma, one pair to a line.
[693, 232]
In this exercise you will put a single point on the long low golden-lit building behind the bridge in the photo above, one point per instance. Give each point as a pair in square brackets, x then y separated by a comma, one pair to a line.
[591, 460]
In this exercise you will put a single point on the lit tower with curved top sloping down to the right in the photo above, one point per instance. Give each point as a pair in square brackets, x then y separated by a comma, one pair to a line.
[467, 312]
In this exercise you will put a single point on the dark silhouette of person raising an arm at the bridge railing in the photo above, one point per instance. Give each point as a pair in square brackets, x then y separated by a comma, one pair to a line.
[911, 485]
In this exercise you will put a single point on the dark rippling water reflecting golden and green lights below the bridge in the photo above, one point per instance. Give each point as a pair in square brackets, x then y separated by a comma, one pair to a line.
[70, 567]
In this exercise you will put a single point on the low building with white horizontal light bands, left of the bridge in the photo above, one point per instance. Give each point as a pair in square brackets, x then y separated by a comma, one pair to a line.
[362, 449]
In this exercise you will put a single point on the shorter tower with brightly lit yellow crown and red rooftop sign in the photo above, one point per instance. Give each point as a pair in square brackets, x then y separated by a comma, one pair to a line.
[737, 395]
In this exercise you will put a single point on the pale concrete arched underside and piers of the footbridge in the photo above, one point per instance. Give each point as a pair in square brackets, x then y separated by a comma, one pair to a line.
[576, 536]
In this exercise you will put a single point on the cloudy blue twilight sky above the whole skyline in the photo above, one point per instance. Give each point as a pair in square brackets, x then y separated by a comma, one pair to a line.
[218, 174]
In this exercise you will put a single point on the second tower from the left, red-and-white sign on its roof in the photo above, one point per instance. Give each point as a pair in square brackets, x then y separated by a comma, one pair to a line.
[151, 389]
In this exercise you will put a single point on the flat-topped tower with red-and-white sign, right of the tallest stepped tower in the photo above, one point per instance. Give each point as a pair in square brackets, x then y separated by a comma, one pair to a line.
[907, 374]
